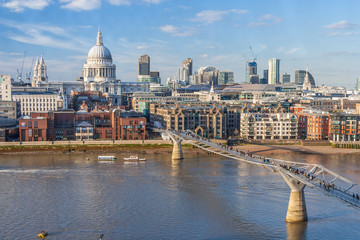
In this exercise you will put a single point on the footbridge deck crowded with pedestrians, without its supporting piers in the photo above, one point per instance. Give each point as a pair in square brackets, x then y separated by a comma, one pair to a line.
[312, 175]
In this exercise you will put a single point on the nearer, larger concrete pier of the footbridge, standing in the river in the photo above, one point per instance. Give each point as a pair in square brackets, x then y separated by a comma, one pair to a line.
[297, 207]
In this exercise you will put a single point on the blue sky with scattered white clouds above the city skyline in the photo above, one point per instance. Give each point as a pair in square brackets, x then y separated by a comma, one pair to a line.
[321, 34]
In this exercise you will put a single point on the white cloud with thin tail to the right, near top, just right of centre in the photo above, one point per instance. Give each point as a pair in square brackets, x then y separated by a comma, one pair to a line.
[210, 16]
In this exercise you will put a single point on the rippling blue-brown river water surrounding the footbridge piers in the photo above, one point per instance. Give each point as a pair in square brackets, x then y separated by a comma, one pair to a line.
[201, 197]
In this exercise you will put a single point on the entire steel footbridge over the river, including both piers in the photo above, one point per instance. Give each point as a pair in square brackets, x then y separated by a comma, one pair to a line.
[296, 174]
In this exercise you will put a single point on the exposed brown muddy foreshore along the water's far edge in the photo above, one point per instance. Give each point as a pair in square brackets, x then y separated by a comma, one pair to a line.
[265, 150]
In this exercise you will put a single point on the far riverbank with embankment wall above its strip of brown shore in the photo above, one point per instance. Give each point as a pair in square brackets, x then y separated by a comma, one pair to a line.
[158, 146]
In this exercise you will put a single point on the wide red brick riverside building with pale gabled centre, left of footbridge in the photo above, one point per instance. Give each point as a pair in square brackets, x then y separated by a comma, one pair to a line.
[82, 125]
